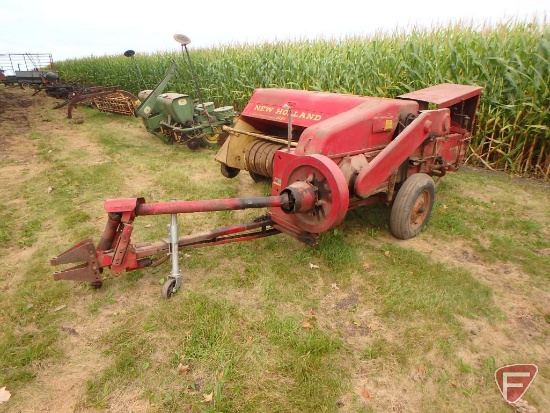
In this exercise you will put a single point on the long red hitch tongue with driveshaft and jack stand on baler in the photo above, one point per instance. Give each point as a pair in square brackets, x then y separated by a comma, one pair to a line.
[115, 250]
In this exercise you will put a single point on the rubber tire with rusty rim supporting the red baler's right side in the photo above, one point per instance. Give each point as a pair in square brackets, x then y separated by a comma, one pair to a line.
[416, 186]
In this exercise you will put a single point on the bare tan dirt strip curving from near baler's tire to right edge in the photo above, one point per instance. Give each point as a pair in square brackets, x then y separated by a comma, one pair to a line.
[523, 304]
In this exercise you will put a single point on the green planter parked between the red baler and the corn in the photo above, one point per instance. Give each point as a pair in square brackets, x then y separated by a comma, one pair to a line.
[175, 118]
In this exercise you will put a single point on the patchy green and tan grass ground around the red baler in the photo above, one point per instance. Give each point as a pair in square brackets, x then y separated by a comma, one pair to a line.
[361, 323]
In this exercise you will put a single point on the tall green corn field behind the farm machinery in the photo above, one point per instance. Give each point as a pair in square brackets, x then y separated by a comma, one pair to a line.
[511, 61]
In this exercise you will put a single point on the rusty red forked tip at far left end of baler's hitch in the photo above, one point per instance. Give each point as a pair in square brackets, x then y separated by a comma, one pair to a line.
[85, 253]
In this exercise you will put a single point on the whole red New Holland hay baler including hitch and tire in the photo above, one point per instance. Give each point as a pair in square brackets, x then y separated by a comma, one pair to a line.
[341, 152]
